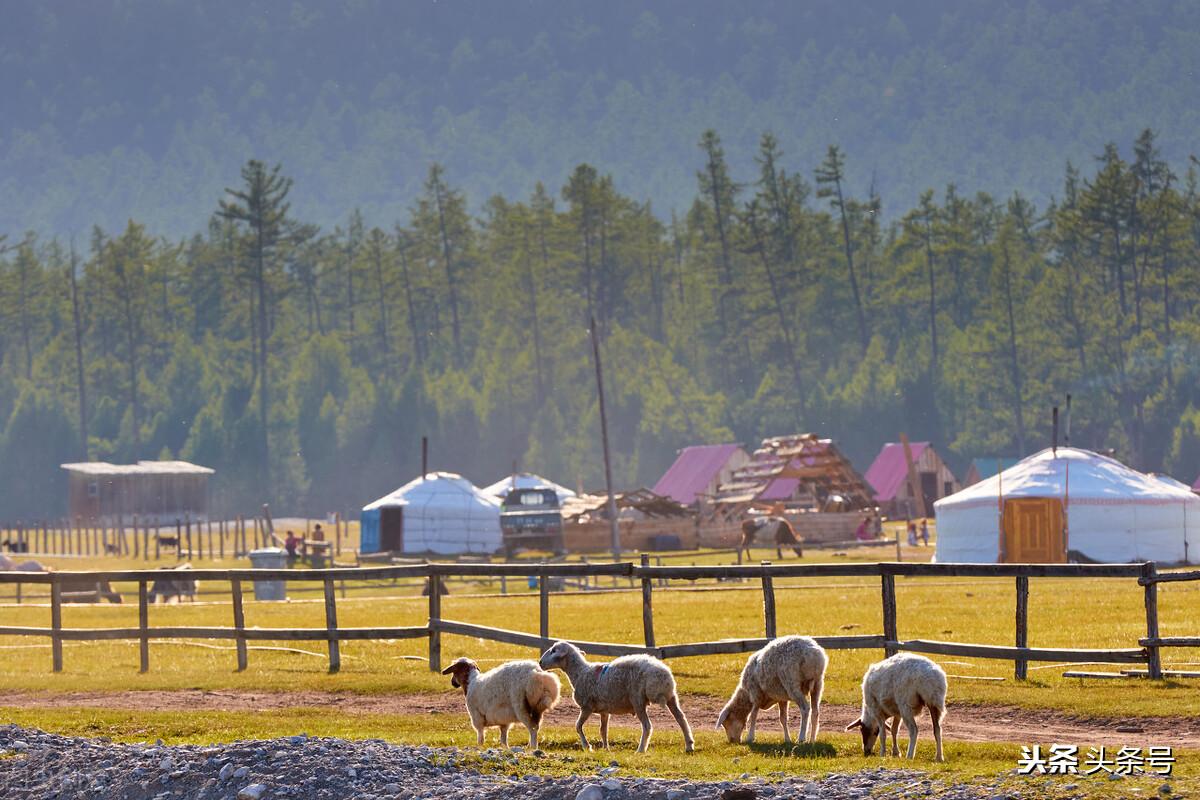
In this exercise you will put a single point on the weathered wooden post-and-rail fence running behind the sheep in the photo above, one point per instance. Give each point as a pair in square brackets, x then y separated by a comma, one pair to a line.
[1147, 653]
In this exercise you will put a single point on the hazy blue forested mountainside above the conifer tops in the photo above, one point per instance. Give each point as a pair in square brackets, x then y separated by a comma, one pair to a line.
[145, 109]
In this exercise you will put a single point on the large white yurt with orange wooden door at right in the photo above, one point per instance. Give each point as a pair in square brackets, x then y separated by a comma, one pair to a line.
[1070, 504]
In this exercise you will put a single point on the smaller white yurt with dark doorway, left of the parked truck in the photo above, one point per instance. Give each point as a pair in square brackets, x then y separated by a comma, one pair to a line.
[439, 513]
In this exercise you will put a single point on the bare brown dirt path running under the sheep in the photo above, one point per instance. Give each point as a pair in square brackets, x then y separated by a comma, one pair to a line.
[964, 724]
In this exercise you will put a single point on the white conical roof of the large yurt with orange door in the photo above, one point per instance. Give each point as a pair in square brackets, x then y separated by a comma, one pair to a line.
[1079, 476]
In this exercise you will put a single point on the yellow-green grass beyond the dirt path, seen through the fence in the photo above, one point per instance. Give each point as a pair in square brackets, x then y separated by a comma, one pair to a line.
[1078, 613]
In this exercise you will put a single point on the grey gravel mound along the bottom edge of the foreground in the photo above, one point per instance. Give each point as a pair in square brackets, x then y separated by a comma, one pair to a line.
[37, 765]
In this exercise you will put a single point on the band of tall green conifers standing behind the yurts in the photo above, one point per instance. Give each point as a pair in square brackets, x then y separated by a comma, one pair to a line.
[304, 358]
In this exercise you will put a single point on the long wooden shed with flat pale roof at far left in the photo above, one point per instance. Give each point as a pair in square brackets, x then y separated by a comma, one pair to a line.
[159, 492]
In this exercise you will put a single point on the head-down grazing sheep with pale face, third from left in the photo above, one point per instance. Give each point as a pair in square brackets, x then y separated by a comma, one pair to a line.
[790, 669]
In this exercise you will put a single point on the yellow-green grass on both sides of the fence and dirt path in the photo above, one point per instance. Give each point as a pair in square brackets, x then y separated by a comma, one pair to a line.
[1082, 613]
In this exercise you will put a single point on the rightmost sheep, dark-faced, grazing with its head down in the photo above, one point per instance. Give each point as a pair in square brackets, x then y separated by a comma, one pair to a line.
[898, 689]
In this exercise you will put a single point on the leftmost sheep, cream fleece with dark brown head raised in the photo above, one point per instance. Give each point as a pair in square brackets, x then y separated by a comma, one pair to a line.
[518, 691]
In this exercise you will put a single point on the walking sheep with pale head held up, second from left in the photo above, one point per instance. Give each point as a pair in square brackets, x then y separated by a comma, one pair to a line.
[623, 687]
